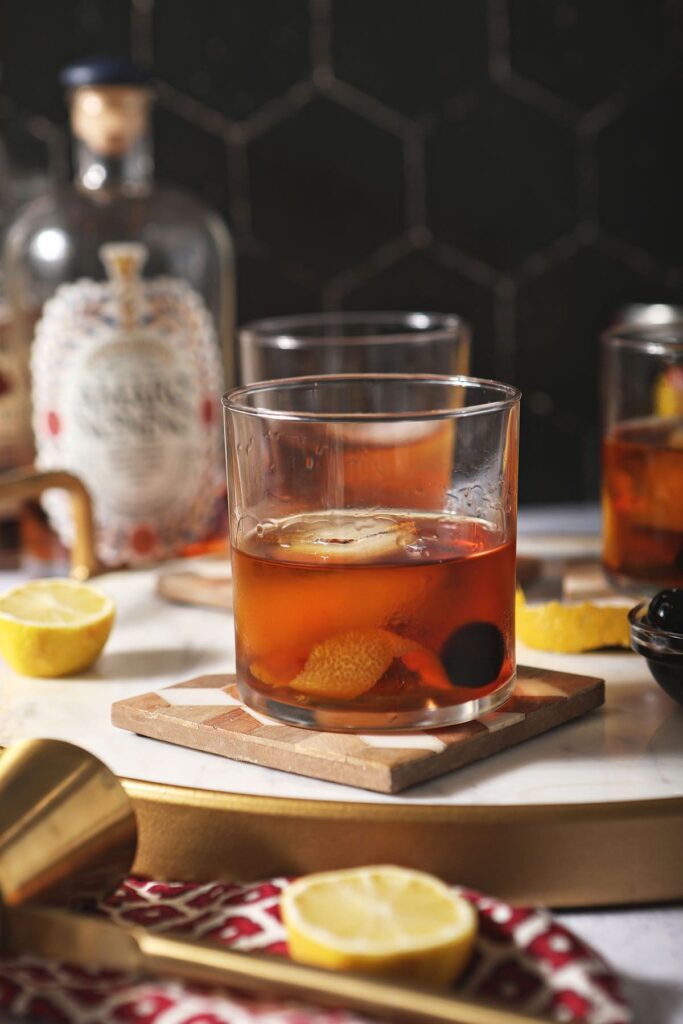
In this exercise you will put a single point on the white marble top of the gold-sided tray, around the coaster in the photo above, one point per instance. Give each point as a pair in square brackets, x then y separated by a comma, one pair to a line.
[632, 749]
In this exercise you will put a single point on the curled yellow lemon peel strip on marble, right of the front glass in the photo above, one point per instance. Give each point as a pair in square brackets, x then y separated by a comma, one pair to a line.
[572, 628]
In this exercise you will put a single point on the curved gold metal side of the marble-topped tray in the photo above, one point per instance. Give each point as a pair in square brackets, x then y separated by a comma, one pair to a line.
[570, 856]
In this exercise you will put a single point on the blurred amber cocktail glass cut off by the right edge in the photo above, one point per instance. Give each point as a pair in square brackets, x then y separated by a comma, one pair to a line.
[643, 457]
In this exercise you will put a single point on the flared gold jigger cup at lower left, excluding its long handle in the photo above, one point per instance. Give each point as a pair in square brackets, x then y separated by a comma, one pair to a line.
[68, 830]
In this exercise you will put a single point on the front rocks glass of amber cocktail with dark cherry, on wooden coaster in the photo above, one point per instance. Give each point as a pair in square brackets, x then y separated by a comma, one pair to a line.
[360, 605]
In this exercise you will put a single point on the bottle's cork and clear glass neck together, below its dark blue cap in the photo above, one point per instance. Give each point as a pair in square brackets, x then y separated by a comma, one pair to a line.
[113, 154]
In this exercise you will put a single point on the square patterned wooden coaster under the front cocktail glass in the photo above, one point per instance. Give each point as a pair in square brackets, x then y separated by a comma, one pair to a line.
[207, 714]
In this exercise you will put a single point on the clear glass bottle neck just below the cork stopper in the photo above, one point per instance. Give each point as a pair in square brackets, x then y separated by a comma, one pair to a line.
[130, 174]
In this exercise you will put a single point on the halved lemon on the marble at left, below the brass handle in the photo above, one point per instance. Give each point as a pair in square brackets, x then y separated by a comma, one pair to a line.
[54, 627]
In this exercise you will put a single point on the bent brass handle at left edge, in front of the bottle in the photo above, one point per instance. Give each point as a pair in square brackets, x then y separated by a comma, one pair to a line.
[29, 483]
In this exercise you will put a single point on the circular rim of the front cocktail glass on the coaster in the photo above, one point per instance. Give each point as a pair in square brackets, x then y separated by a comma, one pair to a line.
[511, 397]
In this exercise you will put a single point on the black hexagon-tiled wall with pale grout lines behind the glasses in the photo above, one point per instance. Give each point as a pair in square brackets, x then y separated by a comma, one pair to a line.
[516, 161]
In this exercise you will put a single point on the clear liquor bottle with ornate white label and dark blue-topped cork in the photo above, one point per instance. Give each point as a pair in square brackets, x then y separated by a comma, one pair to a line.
[123, 290]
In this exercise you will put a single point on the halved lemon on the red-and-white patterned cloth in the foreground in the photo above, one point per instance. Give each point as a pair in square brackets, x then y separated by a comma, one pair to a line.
[385, 920]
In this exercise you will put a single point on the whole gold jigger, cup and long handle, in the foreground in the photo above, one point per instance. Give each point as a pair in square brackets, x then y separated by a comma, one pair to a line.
[68, 833]
